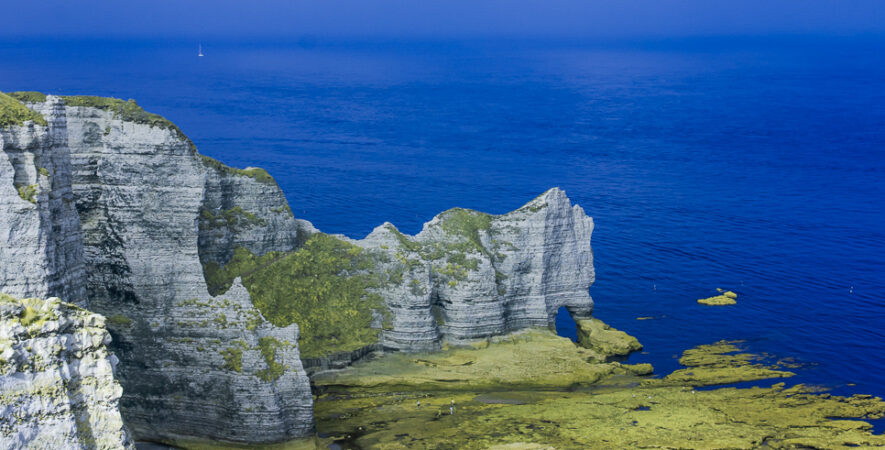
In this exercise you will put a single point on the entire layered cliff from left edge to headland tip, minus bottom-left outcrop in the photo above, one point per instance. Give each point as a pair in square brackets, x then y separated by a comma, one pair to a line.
[215, 293]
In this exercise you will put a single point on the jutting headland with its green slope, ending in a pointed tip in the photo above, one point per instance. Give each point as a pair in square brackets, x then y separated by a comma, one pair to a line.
[466, 275]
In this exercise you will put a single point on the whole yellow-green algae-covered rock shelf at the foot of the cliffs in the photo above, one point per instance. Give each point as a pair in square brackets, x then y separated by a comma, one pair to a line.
[376, 405]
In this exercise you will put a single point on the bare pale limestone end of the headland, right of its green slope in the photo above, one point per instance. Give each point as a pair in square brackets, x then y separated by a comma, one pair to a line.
[469, 275]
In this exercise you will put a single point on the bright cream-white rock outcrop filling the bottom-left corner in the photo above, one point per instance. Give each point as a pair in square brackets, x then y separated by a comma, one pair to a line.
[57, 388]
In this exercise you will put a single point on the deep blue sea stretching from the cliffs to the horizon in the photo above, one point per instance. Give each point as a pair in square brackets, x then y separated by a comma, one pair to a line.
[756, 165]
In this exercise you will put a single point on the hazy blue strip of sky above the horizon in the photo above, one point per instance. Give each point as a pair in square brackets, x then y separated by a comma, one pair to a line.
[439, 18]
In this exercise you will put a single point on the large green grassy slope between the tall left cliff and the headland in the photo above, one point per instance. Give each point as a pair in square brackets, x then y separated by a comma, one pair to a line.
[325, 287]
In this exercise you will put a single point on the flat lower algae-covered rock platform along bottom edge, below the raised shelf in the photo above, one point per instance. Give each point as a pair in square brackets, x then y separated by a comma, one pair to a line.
[617, 417]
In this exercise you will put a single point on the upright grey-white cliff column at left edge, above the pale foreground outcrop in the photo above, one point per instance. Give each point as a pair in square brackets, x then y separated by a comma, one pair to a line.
[41, 245]
